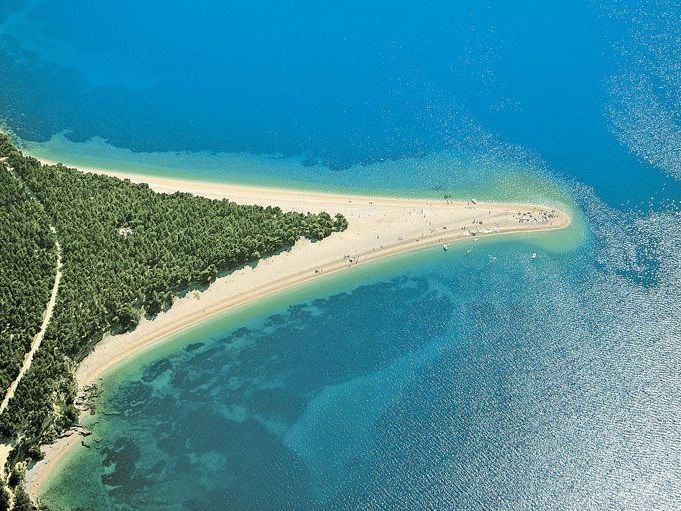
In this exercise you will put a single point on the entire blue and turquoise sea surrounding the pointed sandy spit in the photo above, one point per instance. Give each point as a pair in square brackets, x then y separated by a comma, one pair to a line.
[479, 379]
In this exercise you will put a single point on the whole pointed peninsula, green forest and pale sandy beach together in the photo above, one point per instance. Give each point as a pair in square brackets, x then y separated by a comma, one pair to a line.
[136, 258]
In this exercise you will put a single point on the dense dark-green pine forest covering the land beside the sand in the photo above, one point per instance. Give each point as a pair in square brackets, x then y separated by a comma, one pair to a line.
[126, 251]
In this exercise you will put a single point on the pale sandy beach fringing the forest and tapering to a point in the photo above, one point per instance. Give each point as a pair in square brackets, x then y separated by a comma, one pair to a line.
[378, 227]
